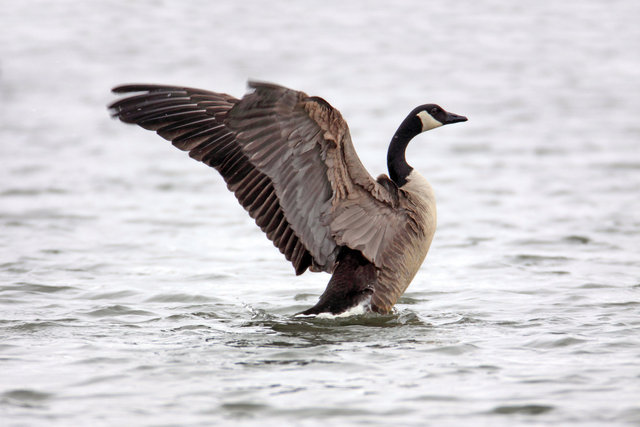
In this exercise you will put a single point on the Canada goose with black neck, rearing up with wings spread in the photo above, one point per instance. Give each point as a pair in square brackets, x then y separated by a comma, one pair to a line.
[289, 160]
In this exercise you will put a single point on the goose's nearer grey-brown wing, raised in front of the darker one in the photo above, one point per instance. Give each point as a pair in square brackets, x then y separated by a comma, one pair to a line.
[304, 146]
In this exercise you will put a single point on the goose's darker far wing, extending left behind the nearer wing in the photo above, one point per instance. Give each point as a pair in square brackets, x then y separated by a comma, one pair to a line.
[193, 120]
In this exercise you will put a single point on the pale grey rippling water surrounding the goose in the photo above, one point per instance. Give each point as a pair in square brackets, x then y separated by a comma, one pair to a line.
[134, 290]
